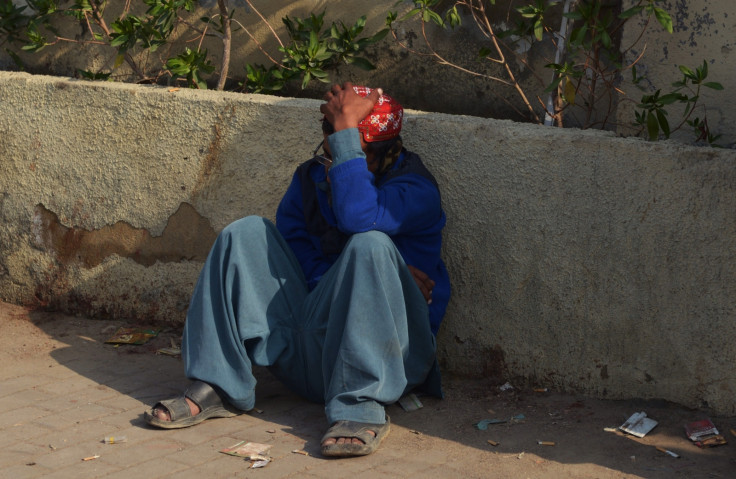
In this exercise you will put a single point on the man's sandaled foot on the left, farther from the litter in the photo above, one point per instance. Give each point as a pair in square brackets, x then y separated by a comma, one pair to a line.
[199, 402]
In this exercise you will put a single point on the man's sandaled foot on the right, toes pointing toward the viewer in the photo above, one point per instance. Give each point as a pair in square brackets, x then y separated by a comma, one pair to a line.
[349, 438]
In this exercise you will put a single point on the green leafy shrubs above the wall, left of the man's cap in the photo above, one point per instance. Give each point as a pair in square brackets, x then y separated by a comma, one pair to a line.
[314, 47]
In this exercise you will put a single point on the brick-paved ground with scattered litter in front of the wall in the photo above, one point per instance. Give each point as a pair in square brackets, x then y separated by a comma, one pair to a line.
[62, 390]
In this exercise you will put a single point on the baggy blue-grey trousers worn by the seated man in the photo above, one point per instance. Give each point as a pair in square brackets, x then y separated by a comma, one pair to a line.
[356, 342]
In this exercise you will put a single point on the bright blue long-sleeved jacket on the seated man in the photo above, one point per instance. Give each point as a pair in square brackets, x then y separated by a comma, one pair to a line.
[316, 219]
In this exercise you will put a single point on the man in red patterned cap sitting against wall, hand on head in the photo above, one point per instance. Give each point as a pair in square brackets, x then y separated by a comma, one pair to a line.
[341, 299]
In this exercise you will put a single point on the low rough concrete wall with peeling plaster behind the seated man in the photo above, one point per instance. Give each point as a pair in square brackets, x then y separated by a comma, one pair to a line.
[580, 261]
